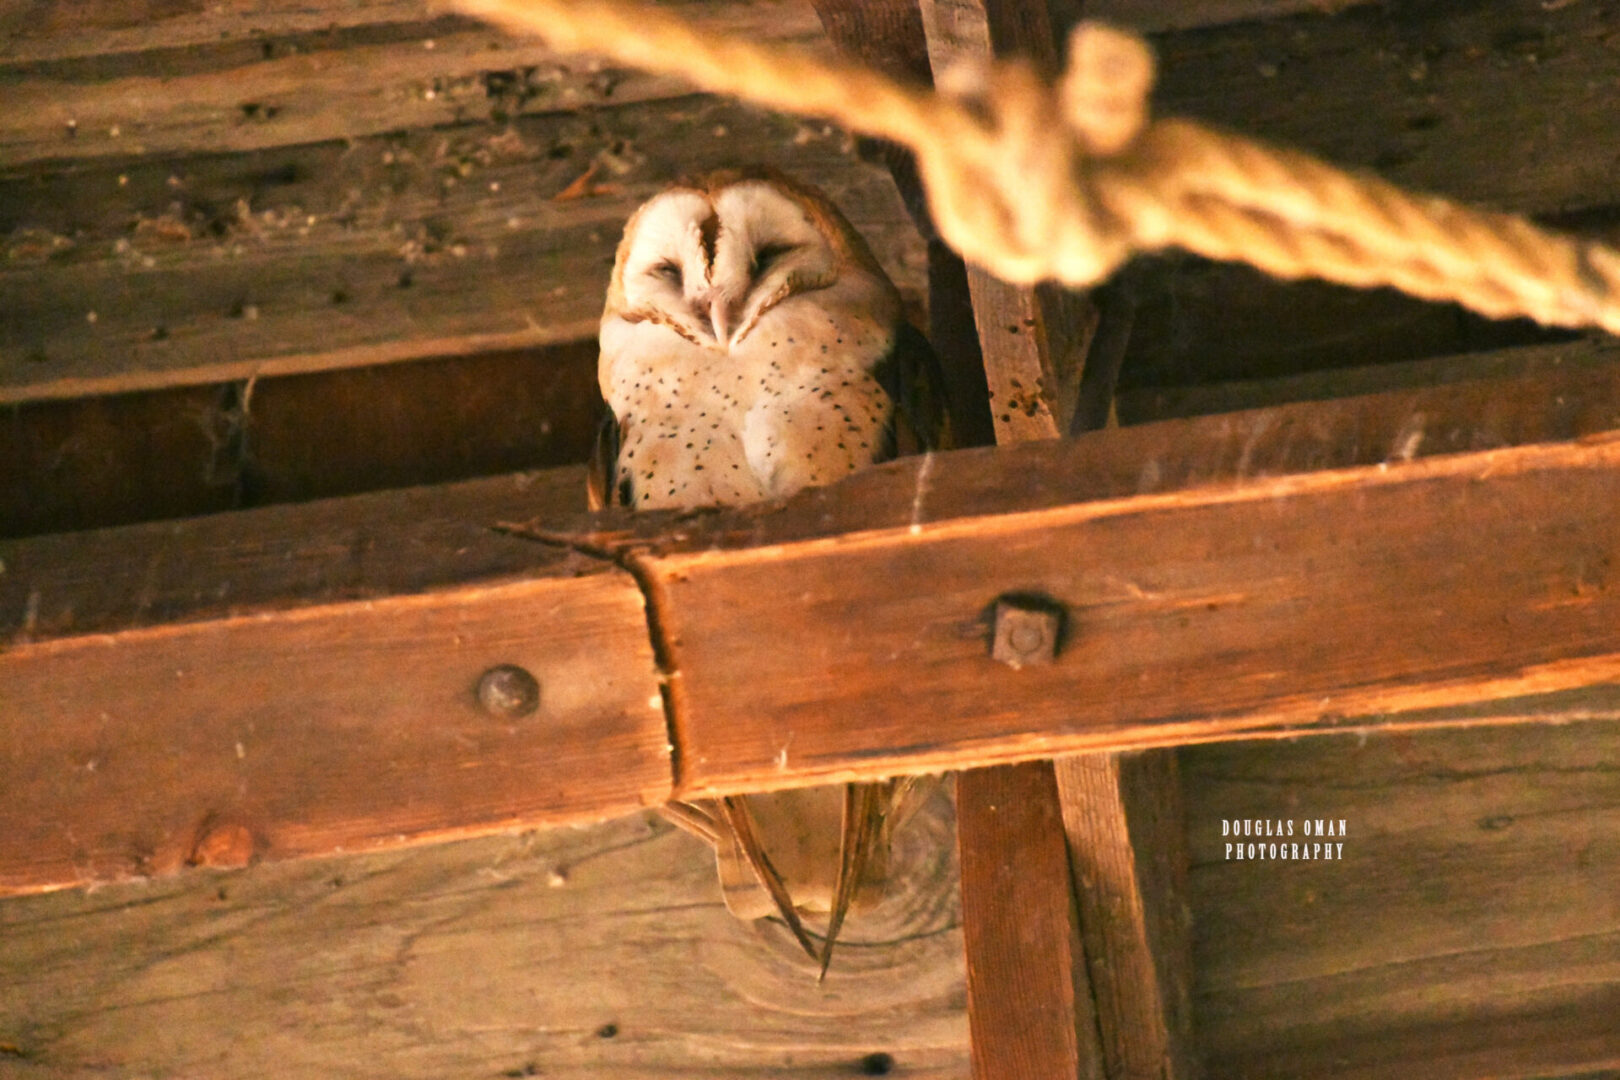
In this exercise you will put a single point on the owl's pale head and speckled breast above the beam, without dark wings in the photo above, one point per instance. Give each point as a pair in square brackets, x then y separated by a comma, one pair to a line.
[741, 346]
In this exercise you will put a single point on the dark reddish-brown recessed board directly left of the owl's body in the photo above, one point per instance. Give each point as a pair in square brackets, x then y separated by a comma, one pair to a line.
[169, 454]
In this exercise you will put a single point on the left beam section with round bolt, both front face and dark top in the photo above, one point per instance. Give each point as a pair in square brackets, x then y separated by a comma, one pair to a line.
[299, 720]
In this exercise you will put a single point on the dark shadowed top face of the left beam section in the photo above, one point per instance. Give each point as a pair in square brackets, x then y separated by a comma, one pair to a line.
[232, 566]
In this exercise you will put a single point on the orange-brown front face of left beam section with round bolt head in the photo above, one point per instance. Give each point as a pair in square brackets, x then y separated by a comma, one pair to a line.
[343, 729]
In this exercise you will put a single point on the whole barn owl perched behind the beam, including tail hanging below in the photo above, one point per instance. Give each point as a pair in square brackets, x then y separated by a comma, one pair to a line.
[752, 347]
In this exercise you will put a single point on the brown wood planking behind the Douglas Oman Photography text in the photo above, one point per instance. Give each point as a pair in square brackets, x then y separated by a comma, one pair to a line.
[1472, 927]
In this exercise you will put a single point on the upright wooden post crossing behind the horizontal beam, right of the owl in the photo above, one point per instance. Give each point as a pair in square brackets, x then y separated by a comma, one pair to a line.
[1033, 1010]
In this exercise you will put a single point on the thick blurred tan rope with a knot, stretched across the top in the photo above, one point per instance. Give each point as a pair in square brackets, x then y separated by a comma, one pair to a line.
[1067, 182]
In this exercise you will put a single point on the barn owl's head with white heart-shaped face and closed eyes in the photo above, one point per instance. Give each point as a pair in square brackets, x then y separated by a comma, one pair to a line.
[712, 257]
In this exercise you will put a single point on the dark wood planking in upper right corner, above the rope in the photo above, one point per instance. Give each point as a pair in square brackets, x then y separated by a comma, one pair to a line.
[1490, 103]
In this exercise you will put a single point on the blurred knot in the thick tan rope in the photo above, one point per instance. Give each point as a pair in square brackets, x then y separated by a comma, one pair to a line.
[1013, 187]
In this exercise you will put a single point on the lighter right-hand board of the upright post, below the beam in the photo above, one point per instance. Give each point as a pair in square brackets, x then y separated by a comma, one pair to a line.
[1127, 841]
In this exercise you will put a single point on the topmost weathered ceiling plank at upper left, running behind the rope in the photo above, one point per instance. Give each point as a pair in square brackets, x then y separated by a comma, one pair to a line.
[275, 77]
